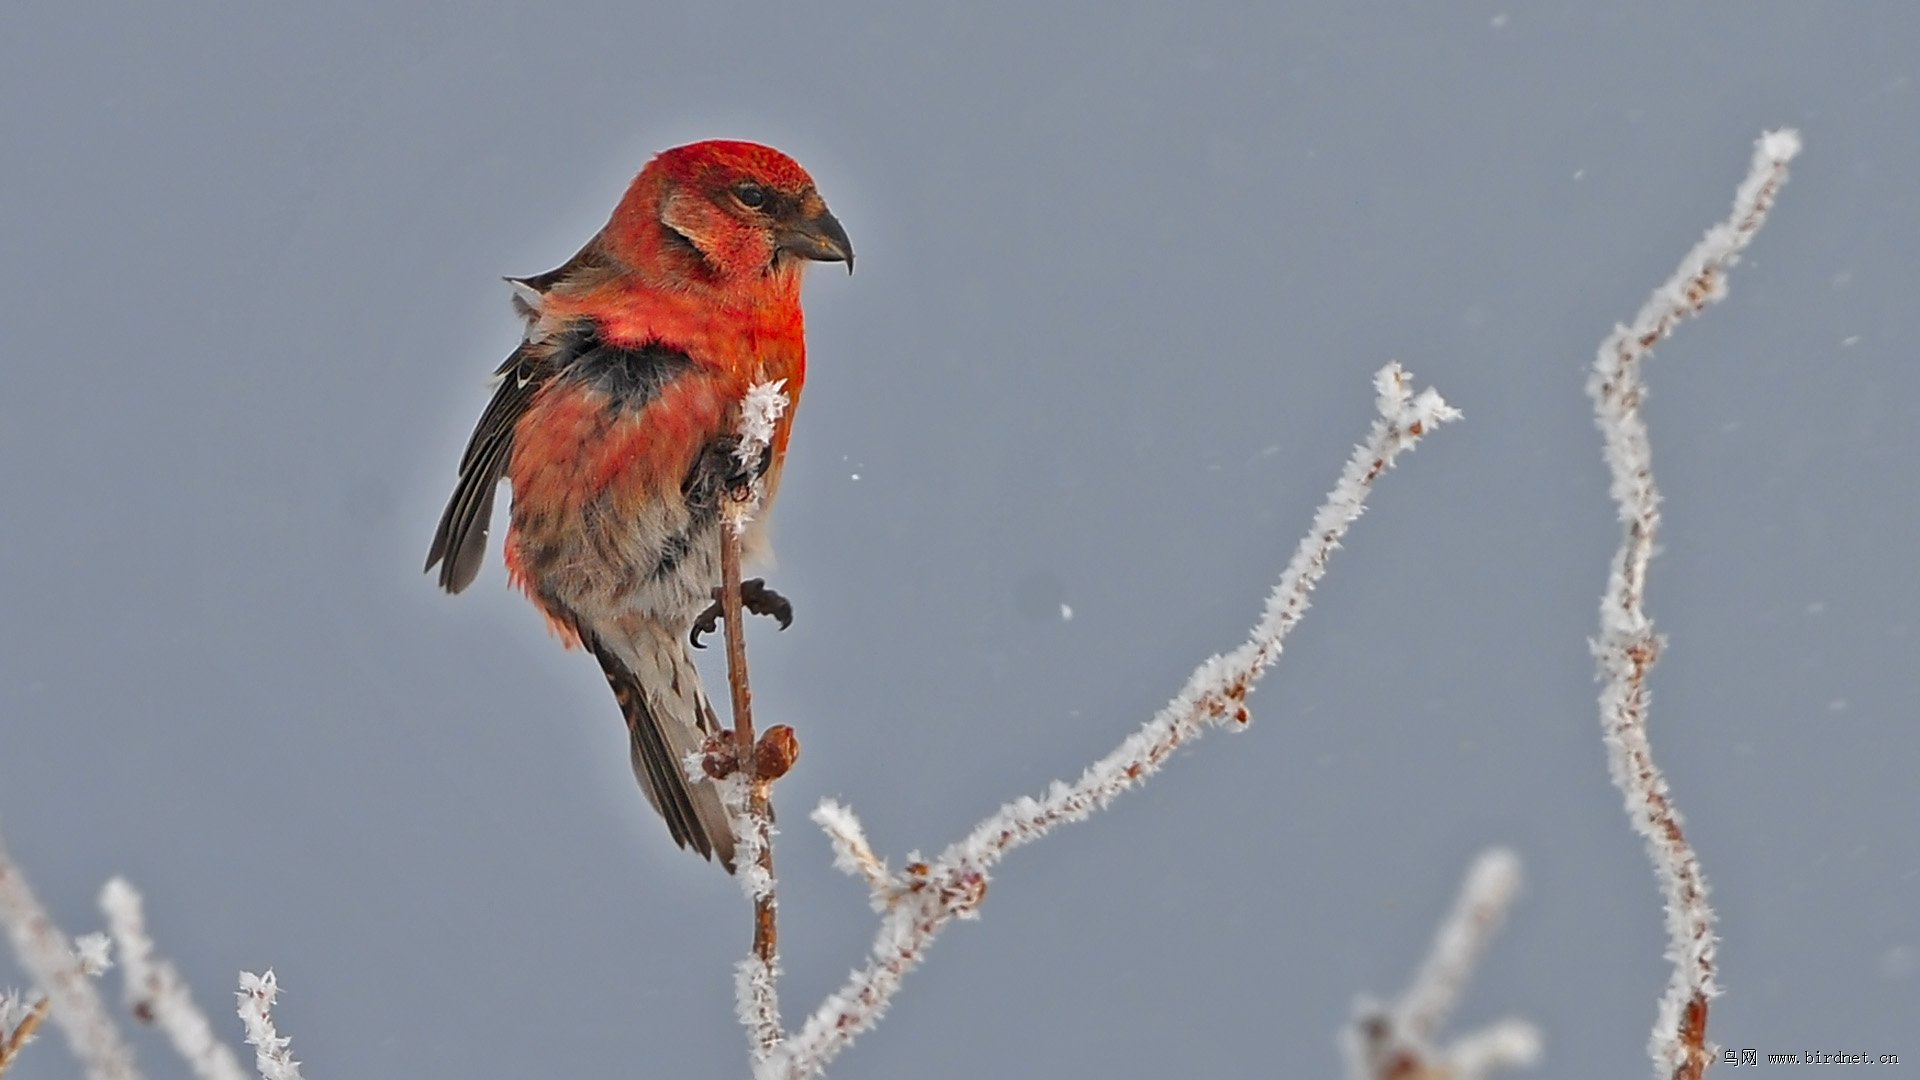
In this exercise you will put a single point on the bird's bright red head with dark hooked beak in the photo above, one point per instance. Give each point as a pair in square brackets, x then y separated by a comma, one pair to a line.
[729, 214]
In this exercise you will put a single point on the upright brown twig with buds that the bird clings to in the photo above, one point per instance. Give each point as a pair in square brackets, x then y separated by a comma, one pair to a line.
[748, 791]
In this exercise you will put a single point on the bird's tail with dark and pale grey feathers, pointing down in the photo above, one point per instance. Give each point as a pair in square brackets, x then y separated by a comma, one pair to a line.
[669, 718]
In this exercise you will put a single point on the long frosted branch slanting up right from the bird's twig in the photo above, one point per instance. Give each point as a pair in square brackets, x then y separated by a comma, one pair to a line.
[955, 883]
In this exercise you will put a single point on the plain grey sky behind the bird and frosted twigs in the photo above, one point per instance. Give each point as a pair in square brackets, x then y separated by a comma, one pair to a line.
[1124, 276]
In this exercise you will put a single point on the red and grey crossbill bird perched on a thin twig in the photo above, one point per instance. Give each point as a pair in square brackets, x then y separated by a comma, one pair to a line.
[615, 426]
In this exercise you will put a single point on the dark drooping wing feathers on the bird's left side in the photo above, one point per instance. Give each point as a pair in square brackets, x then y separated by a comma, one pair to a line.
[460, 543]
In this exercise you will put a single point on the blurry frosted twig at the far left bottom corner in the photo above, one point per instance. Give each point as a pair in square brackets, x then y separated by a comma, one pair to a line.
[60, 973]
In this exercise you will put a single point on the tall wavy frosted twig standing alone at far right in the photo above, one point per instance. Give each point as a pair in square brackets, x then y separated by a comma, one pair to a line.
[1627, 645]
